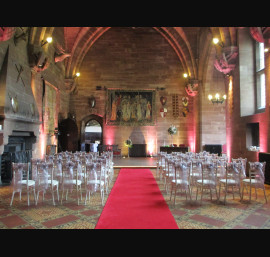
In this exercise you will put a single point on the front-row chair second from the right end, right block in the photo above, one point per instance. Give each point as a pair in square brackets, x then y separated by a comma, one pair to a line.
[233, 176]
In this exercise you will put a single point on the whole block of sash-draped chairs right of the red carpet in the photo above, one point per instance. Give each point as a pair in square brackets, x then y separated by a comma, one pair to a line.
[186, 171]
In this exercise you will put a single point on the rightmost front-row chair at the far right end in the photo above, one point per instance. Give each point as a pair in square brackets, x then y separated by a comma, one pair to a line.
[256, 179]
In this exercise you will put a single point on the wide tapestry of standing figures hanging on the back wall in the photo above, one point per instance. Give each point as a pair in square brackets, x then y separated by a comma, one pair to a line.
[130, 107]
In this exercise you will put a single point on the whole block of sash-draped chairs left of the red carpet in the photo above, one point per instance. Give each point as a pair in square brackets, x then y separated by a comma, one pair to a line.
[64, 172]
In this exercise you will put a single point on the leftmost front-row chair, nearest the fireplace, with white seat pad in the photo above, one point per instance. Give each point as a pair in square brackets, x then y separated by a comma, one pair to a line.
[21, 181]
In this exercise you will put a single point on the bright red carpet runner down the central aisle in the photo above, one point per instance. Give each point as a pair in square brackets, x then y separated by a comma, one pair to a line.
[135, 202]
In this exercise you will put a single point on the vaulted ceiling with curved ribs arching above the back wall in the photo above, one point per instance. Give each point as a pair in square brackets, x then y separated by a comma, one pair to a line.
[191, 44]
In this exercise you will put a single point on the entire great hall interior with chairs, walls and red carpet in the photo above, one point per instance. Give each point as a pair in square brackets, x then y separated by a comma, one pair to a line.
[145, 100]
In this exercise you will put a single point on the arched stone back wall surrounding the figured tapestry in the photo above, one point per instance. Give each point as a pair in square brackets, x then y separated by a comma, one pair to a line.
[134, 59]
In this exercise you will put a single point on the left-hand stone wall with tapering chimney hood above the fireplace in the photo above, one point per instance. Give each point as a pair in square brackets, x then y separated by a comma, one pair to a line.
[28, 90]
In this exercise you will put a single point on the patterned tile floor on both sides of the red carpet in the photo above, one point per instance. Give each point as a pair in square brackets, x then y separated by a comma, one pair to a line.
[187, 214]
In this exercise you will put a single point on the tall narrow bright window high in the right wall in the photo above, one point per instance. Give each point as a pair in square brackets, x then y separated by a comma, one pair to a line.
[260, 76]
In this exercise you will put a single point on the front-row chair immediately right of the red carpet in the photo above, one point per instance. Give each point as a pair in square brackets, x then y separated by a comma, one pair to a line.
[180, 179]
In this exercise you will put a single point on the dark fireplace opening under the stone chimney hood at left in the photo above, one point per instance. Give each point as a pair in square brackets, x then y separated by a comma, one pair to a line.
[18, 149]
